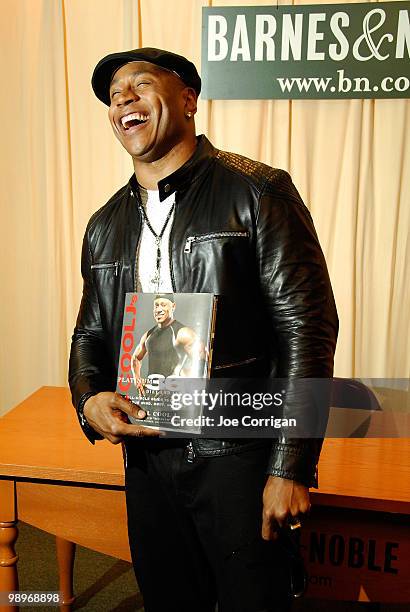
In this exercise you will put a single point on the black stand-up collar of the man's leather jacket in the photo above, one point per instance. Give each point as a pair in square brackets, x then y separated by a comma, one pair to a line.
[191, 171]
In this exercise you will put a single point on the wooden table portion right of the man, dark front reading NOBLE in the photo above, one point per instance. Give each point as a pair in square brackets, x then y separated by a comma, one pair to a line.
[357, 539]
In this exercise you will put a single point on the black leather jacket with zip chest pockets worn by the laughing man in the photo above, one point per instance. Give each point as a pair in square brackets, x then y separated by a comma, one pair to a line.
[242, 232]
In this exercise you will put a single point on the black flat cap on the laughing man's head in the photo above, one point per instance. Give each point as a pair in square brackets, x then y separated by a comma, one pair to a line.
[106, 67]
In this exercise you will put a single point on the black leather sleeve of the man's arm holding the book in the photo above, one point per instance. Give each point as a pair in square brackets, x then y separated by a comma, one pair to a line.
[86, 367]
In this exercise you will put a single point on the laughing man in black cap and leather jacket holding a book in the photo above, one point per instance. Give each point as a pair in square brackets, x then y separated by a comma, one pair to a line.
[205, 516]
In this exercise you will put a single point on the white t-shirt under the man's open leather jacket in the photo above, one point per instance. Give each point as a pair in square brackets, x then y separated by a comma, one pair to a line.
[157, 213]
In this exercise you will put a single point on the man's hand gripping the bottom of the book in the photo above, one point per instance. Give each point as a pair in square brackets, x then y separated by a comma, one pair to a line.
[106, 413]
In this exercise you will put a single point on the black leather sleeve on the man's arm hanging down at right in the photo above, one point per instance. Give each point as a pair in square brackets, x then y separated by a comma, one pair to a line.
[298, 296]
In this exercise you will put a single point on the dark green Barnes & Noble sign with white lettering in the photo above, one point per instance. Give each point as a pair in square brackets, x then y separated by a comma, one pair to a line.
[316, 51]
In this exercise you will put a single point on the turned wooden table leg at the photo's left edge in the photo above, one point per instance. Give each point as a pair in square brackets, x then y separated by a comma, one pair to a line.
[8, 537]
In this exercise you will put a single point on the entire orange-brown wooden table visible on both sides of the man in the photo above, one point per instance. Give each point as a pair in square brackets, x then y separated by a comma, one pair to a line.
[53, 478]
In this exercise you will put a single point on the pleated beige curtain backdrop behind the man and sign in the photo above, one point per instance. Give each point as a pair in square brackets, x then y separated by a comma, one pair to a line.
[60, 162]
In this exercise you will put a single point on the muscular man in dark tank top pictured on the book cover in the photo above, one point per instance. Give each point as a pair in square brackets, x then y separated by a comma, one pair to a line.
[171, 348]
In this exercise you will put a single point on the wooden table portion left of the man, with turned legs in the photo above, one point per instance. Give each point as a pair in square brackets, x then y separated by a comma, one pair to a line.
[53, 478]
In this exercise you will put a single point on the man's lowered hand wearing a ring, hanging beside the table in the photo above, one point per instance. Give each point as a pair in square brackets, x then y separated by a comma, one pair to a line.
[282, 499]
